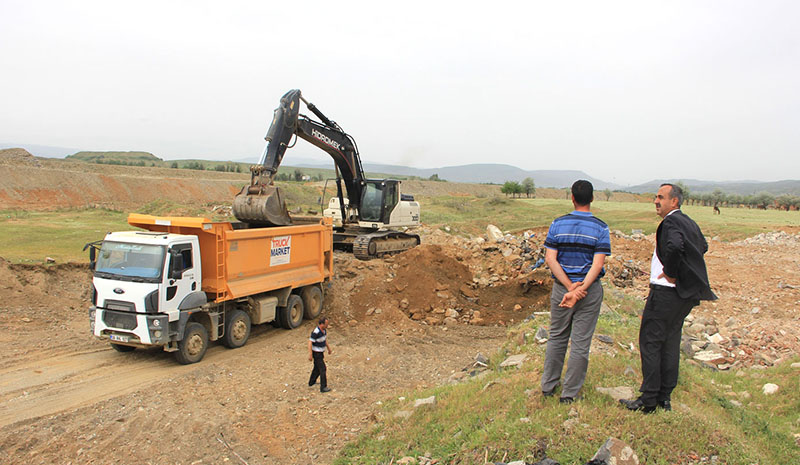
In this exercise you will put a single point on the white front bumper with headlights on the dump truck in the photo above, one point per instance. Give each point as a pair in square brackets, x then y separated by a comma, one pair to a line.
[128, 328]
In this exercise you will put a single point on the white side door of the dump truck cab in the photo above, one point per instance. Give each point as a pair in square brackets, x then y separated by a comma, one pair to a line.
[182, 277]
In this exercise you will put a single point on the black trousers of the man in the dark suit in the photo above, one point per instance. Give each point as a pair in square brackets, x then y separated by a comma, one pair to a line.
[660, 342]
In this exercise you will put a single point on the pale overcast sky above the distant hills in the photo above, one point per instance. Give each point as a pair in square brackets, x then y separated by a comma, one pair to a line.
[626, 91]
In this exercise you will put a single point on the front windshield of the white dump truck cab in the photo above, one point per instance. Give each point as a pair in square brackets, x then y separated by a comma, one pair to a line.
[131, 260]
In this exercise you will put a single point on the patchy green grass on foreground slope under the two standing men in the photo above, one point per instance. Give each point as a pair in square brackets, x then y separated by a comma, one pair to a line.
[471, 421]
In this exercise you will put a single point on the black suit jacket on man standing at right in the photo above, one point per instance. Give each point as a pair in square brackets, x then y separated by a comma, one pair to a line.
[680, 246]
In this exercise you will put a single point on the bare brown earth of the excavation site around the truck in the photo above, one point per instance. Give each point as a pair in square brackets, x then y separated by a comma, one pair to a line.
[67, 398]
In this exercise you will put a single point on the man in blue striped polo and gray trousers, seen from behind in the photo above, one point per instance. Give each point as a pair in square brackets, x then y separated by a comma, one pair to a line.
[576, 248]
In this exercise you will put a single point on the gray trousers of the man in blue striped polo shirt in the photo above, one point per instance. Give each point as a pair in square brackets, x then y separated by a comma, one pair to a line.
[574, 324]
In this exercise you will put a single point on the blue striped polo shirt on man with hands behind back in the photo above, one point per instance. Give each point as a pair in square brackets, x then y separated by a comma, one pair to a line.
[577, 237]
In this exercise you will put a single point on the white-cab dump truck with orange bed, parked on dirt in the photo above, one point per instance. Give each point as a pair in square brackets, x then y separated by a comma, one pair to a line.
[182, 282]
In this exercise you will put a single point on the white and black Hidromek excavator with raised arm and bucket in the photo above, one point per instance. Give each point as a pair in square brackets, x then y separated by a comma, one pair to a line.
[364, 211]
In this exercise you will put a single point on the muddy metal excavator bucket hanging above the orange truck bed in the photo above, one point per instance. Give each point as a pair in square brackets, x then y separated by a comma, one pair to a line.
[262, 206]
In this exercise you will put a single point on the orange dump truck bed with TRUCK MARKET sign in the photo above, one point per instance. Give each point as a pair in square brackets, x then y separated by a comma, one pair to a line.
[241, 262]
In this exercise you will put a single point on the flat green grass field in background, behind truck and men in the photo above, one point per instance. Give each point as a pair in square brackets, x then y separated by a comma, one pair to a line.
[31, 236]
